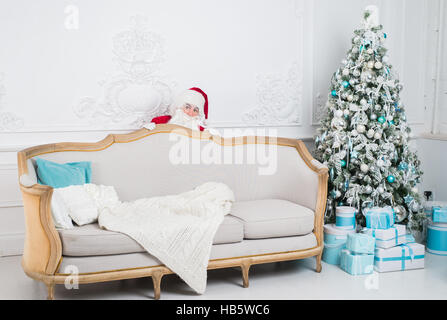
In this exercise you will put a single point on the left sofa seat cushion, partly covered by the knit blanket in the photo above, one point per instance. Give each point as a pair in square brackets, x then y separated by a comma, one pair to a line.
[91, 240]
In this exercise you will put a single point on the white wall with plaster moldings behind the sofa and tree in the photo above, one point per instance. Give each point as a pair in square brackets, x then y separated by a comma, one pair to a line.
[252, 57]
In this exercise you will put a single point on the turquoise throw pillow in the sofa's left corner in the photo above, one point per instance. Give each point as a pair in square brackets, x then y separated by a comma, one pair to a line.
[59, 175]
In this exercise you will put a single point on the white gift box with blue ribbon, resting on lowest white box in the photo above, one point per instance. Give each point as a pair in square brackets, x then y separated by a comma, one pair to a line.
[391, 237]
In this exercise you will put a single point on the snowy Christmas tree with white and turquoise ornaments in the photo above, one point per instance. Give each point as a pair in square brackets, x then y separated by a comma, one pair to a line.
[363, 139]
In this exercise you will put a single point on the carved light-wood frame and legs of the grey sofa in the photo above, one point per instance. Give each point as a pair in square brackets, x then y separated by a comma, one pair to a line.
[42, 253]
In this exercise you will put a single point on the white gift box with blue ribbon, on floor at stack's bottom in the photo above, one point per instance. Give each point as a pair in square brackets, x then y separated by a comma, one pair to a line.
[403, 257]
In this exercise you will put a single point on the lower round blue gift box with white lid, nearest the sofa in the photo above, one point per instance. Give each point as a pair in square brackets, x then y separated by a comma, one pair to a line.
[334, 241]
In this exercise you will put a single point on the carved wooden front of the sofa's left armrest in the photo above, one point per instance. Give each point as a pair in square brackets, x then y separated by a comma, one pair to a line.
[43, 248]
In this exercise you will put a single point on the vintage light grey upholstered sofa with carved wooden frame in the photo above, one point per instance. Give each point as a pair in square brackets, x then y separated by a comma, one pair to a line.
[277, 216]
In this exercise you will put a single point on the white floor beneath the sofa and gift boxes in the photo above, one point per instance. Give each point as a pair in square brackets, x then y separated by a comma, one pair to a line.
[285, 280]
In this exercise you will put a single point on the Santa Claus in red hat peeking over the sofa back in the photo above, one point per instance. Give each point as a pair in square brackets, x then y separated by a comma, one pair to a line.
[190, 110]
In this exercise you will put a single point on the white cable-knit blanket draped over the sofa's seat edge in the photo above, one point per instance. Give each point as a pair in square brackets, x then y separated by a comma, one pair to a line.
[177, 229]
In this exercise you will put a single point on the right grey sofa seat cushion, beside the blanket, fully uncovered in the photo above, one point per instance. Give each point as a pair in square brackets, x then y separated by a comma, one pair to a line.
[271, 218]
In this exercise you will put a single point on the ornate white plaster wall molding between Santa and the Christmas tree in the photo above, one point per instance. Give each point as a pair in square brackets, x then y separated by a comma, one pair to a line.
[279, 99]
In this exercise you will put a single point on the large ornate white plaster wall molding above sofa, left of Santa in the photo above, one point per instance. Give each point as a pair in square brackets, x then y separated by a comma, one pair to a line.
[138, 92]
